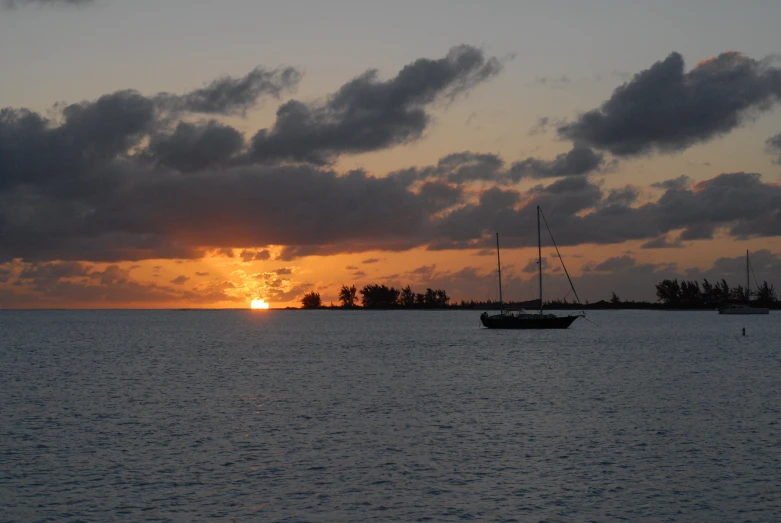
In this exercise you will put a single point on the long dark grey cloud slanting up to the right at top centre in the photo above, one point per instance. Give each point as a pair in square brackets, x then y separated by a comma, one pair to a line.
[367, 114]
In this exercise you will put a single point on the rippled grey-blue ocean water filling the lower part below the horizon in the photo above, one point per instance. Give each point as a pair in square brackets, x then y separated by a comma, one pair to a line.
[387, 416]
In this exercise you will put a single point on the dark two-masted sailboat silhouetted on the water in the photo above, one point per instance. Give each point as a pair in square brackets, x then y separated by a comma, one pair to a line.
[524, 320]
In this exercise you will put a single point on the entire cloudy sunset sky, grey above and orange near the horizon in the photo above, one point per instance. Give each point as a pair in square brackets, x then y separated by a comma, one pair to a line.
[205, 154]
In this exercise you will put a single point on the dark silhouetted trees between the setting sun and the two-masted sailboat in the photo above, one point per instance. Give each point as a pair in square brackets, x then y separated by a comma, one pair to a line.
[374, 296]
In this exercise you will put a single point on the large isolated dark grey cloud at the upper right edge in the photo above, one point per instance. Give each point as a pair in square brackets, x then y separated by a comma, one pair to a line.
[666, 109]
